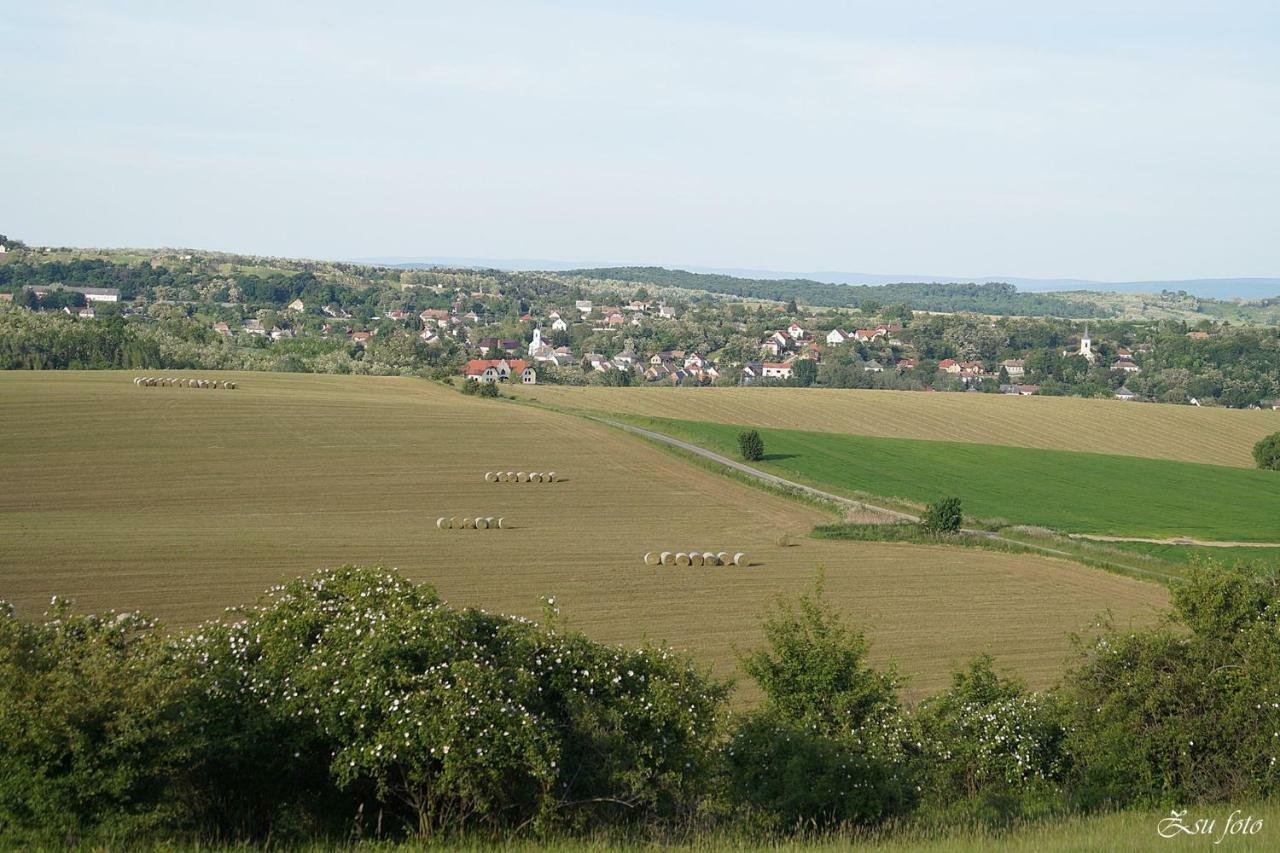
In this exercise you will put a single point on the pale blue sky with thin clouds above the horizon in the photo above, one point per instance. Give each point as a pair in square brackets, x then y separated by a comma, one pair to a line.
[1113, 140]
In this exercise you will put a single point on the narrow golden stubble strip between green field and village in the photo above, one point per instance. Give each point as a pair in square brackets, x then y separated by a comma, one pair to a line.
[1181, 434]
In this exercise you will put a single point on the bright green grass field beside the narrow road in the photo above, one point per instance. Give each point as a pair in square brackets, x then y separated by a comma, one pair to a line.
[1060, 490]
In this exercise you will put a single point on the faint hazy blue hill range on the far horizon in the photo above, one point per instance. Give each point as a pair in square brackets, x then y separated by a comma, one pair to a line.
[1218, 289]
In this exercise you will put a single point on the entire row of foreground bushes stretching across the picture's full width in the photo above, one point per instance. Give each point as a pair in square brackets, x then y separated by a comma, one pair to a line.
[356, 704]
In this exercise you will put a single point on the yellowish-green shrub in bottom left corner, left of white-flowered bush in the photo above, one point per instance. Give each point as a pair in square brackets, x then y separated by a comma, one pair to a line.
[93, 733]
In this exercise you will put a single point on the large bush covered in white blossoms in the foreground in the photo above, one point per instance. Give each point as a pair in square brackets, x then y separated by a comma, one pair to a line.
[451, 718]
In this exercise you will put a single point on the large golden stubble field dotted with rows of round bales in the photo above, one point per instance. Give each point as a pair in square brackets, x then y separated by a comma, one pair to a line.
[184, 501]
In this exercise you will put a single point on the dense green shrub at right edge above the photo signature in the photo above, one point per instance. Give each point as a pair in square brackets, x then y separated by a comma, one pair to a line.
[1187, 711]
